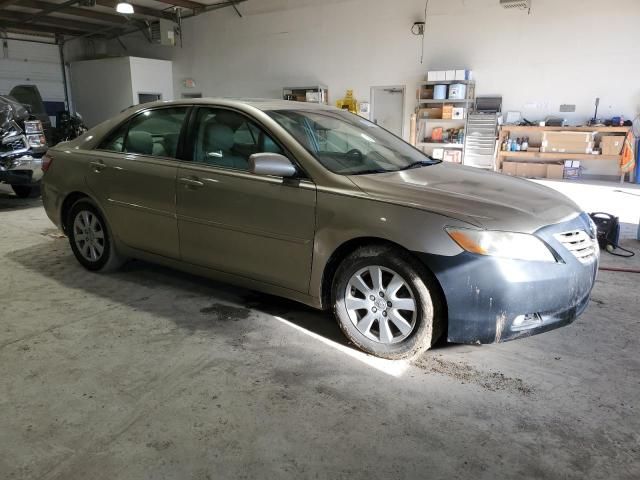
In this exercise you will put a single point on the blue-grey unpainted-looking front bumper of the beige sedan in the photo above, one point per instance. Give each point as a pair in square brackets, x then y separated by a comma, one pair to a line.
[491, 299]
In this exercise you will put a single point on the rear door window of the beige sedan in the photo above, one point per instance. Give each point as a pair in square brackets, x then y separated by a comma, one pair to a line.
[154, 132]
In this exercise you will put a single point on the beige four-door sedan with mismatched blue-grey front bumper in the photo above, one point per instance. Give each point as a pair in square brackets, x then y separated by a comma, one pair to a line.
[324, 207]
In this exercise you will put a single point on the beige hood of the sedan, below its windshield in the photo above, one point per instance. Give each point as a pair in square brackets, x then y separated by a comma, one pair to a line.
[485, 199]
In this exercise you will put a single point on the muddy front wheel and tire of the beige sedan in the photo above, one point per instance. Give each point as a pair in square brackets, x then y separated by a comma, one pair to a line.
[386, 303]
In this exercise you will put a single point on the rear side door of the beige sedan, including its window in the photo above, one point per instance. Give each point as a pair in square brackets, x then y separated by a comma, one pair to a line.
[133, 176]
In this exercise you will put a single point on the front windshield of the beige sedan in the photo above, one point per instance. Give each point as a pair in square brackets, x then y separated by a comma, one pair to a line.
[348, 144]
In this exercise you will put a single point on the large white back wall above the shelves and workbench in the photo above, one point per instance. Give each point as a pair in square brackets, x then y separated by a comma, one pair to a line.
[565, 51]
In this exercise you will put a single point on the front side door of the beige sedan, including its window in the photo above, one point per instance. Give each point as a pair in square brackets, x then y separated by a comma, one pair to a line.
[231, 220]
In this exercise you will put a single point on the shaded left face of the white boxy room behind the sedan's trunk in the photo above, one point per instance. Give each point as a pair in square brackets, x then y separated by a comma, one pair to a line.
[101, 88]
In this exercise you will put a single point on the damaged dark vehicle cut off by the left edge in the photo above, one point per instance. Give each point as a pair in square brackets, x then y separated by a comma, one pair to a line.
[22, 145]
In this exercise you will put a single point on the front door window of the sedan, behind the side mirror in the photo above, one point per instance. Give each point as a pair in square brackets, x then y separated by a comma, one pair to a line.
[227, 139]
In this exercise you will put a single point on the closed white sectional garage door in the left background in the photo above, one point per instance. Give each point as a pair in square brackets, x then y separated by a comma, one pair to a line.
[33, 64]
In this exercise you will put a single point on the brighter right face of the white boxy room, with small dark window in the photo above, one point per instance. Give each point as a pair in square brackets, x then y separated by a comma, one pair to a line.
[151, 76]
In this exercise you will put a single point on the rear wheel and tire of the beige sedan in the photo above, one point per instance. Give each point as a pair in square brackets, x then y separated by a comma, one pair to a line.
[90, 238]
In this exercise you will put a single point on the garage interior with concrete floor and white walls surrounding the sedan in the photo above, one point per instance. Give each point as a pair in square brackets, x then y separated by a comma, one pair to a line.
[152, 373]
